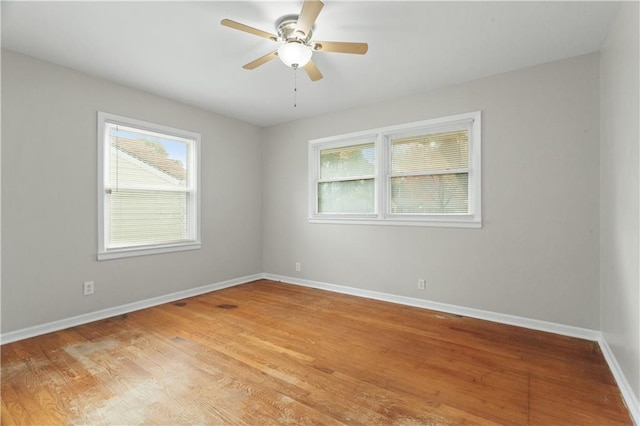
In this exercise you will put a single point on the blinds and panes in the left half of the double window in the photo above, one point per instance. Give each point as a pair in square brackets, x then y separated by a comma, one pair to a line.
[347, 180]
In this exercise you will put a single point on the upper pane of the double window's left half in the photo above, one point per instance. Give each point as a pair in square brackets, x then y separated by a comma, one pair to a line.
[349, 161]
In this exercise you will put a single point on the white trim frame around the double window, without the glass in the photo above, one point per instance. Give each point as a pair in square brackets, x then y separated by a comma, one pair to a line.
[381, 136]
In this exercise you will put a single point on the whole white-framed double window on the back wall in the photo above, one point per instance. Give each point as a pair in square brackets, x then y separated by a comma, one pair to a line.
[425, 173]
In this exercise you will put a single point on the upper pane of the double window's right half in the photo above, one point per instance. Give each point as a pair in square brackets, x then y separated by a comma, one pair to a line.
[432, 152]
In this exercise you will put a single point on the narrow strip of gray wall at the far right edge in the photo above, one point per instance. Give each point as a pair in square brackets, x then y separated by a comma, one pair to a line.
[620, 192]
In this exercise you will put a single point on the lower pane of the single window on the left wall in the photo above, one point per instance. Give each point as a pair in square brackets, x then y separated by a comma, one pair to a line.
[148, 217]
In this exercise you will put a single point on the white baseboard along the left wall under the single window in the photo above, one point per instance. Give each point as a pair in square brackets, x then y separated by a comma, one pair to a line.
[38, 330]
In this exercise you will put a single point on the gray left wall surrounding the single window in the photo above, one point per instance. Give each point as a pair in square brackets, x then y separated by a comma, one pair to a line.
[49, 201]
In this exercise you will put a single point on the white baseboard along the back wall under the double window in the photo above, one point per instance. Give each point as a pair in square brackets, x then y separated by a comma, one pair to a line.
[566, 330]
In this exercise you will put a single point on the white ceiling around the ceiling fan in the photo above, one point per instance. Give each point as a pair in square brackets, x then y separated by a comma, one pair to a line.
[179, 49]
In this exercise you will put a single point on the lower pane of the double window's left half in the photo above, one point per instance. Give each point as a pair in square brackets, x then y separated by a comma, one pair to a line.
[356, 196]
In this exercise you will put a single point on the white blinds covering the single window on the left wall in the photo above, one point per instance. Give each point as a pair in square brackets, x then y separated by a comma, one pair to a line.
[148, 188]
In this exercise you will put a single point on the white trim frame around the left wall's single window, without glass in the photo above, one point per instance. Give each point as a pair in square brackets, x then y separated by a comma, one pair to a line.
[103, 150]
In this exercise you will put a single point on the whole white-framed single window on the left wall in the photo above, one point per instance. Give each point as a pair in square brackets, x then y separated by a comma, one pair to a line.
[148, 184]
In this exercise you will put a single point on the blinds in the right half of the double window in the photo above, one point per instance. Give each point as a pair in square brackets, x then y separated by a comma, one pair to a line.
[430, 173]
